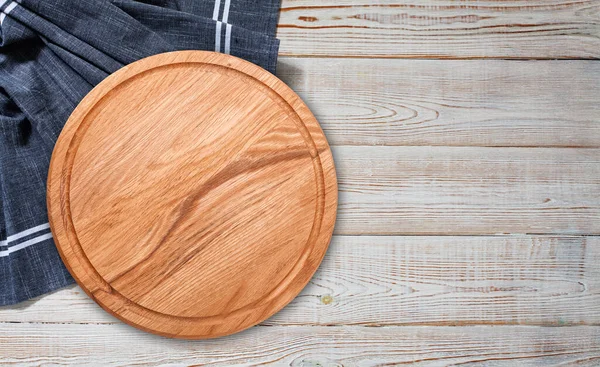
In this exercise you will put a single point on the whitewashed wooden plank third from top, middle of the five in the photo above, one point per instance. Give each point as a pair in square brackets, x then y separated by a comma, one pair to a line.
[466, 191]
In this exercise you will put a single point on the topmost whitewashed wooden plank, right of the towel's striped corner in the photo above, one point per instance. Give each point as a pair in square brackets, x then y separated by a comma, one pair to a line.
[441, 28]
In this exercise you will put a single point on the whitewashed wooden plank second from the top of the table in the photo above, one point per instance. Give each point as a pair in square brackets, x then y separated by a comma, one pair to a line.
[452, 102]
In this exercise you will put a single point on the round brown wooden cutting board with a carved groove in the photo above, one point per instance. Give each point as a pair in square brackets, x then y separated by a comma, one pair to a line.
[192, 194]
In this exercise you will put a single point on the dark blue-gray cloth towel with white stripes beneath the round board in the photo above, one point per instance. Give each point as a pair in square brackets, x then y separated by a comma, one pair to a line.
[52, 53]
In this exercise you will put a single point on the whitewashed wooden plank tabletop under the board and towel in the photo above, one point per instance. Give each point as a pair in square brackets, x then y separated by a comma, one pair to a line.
[466, 136]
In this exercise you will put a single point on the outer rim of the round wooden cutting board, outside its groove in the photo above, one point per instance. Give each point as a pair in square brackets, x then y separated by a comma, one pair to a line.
[93, 284]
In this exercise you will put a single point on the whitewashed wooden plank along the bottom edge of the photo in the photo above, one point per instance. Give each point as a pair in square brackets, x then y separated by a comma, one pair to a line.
[112, 345]
